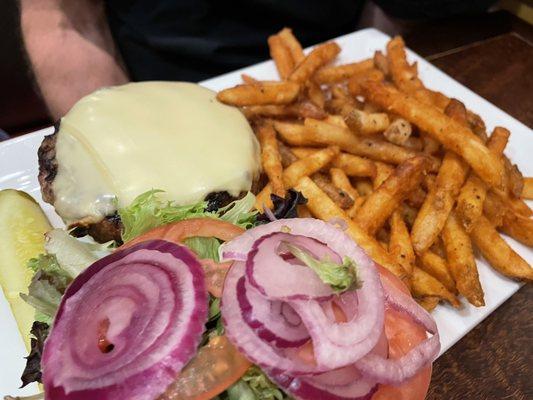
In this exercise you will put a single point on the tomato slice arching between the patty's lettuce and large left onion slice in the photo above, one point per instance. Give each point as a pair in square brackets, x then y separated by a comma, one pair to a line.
[177, 232]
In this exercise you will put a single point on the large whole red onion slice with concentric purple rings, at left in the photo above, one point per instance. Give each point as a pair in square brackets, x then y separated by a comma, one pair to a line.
[127, 325]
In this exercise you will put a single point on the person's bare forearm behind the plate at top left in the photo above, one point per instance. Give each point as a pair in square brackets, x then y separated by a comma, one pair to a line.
[70, 48]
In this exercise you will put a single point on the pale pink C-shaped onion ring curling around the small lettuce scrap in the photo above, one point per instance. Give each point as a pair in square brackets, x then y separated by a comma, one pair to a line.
[274, 276]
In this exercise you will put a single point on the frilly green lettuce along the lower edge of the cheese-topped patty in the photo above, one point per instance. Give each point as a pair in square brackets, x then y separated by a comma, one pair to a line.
[148, 211]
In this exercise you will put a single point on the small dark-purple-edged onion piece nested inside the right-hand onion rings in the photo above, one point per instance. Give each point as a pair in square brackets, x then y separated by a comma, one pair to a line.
[268, 318]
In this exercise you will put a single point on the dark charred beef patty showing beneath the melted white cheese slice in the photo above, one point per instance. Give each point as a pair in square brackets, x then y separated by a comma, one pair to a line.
[110, 227]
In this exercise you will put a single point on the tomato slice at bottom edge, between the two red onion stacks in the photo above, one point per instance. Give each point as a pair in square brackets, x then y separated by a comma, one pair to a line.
[216, 367]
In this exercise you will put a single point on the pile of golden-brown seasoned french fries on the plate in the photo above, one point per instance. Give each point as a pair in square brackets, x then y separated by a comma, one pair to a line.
[412, 173]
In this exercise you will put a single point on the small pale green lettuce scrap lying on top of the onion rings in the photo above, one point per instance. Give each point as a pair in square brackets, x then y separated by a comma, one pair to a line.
[340, 277]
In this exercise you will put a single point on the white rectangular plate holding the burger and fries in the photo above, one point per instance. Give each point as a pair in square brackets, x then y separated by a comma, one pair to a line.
[18, 169]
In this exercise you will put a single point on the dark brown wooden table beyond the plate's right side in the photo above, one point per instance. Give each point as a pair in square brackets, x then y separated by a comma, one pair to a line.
[493, 56]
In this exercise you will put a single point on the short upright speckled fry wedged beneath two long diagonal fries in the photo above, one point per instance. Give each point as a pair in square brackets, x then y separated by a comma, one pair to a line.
[400, 246]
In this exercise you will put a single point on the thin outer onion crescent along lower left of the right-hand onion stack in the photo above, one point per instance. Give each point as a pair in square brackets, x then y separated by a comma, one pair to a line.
[246, 339]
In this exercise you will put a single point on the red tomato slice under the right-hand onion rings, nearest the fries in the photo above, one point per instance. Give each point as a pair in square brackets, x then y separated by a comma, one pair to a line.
[402, 335]
